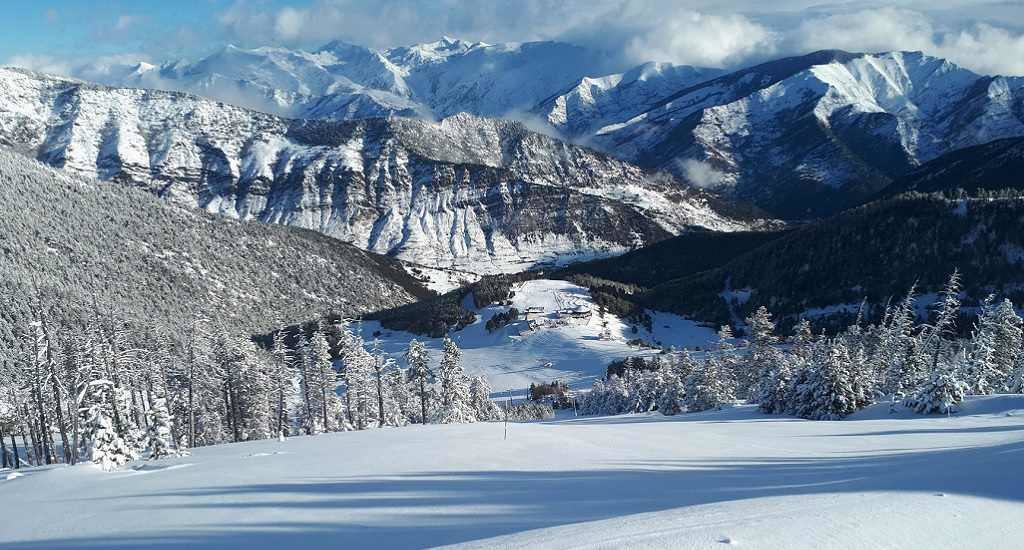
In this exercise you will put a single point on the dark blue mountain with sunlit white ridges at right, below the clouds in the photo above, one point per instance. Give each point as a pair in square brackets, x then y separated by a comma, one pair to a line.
[814, 135]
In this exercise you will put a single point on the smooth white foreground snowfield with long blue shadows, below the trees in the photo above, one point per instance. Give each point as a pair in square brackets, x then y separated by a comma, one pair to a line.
[700, 481]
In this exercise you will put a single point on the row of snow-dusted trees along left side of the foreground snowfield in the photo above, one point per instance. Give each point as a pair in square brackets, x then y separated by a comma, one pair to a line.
[112, 391]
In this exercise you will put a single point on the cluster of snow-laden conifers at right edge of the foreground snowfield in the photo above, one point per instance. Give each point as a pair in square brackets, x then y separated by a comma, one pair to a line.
[924, 366]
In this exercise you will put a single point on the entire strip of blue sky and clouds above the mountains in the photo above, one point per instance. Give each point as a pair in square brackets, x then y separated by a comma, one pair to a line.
[68, 36]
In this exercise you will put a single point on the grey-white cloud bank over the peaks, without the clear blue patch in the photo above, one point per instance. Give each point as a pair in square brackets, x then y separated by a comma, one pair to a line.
[987, 37]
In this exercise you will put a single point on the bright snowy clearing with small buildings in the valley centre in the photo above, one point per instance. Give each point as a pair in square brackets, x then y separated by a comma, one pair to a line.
[558, 348]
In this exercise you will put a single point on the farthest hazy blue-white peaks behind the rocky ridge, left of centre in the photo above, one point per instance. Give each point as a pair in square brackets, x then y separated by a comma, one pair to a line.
[346, 81]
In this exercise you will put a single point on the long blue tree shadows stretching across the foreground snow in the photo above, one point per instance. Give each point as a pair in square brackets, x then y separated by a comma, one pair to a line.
[437, 509]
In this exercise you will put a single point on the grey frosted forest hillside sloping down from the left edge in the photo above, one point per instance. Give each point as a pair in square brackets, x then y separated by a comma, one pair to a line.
[87, 245]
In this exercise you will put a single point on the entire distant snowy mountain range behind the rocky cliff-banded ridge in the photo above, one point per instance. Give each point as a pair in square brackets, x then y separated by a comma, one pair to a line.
[800, 137]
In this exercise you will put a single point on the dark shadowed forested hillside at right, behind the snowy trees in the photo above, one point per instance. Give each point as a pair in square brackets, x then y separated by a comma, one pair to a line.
[874, 252]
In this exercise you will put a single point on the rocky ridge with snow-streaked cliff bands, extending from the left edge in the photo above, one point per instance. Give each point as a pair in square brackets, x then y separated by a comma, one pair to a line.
[482, 195]
